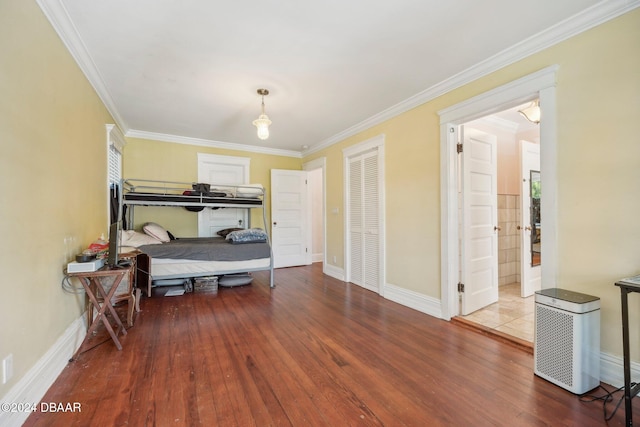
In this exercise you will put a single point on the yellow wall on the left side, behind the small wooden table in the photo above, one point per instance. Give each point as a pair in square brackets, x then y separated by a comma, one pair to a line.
[52, 181]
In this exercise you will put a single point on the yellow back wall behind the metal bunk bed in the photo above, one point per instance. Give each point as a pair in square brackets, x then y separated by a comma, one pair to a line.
[147, 159]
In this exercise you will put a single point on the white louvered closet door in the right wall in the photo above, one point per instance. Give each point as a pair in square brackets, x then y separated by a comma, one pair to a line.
[364, 221]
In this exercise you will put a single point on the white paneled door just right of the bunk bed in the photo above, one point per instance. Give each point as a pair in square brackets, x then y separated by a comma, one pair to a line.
[290, 218]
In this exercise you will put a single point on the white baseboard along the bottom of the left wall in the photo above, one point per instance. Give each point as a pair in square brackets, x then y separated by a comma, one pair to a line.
[33, 386]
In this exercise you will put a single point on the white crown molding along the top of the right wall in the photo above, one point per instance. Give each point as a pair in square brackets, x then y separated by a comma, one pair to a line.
[583, 21]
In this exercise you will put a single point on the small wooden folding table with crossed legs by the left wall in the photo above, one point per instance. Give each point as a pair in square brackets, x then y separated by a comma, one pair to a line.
[102, 300]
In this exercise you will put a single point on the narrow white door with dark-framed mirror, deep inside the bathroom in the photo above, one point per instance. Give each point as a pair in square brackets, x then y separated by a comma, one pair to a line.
[530, 229]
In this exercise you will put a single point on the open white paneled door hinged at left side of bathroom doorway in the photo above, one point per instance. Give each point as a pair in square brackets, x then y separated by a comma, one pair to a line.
[479, 221]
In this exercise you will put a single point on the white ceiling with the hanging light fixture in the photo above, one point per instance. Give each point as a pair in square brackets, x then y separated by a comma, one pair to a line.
[188, 70]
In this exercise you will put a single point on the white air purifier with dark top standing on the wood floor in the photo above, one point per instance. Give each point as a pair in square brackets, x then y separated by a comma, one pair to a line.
[566, 348]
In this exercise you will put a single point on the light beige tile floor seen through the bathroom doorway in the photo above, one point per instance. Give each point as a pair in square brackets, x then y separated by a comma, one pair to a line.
[511, 315]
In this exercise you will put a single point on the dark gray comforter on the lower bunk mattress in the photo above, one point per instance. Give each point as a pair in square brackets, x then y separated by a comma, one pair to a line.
[207, 249]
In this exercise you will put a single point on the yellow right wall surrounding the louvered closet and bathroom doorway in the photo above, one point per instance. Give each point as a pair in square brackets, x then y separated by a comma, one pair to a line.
[598, 101]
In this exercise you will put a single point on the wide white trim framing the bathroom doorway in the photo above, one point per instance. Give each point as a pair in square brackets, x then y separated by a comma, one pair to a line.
[540, 84]
